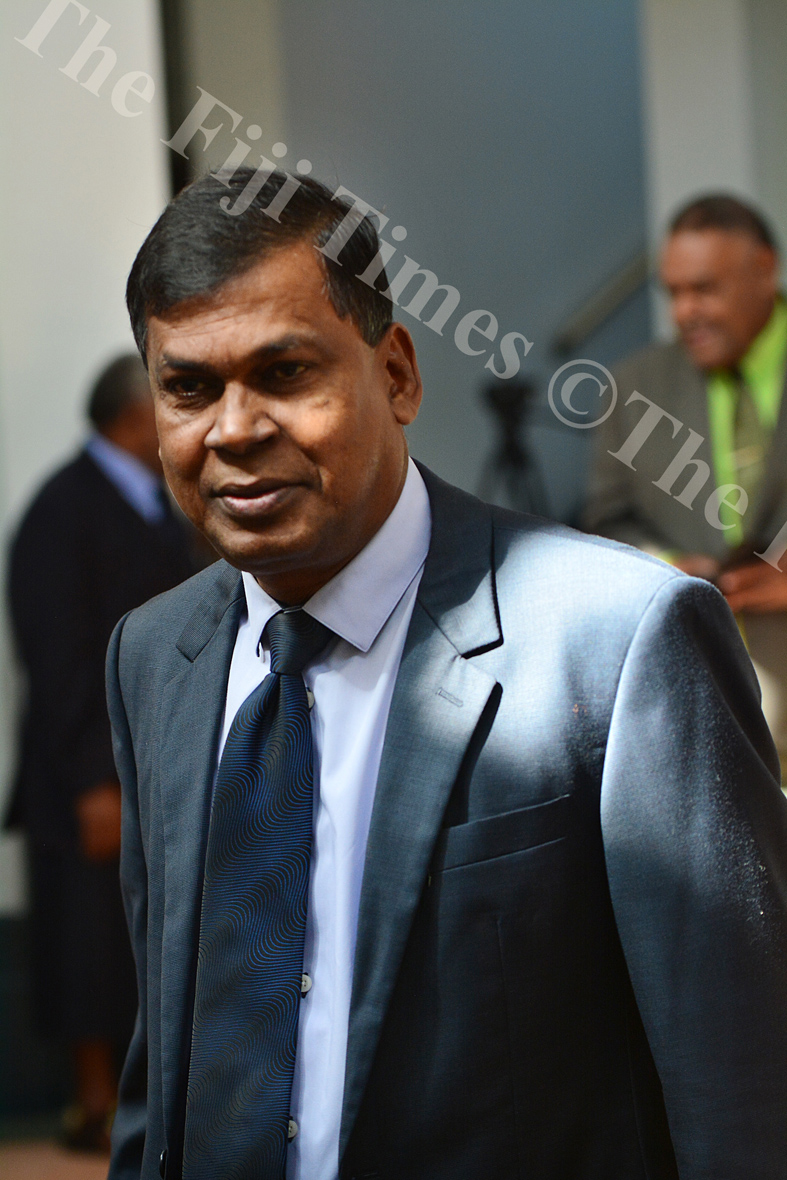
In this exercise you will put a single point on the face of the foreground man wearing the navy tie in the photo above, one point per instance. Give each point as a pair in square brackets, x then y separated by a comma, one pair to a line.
[281, 430]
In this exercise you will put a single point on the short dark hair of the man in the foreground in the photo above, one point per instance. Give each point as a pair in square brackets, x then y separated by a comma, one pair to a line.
[196, 247]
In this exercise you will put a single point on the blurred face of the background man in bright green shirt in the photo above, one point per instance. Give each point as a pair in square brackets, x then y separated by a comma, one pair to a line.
[723, 286]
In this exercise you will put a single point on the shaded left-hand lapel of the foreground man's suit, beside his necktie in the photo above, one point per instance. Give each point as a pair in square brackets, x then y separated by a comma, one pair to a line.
[192, 711]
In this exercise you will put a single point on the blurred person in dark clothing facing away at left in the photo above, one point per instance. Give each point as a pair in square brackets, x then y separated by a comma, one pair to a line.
[100, 540]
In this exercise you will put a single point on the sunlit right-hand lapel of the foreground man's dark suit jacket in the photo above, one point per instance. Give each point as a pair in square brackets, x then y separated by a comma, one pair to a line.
[438, 702]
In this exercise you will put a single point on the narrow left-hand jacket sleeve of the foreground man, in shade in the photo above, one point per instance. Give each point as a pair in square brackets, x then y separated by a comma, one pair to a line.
[130, 1122]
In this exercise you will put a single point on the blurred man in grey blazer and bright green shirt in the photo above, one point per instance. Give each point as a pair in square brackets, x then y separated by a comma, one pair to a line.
[720, 268]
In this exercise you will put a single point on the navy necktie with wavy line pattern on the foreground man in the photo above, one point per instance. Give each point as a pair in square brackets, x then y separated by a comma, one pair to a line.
[251, 960]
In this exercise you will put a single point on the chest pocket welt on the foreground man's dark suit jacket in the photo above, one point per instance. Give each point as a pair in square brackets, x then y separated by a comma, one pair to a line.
[499, 836]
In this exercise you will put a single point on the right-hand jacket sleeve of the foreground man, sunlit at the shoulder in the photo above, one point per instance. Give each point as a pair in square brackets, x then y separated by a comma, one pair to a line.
[696, 838]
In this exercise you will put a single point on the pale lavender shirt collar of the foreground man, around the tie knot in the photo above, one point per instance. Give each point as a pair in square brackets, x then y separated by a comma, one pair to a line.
[358, 601]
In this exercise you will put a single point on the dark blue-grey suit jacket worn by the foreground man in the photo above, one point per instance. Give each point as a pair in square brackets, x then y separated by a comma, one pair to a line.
[573, 942]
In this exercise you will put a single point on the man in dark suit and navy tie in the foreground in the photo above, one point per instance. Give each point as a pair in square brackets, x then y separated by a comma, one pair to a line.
[441, 861]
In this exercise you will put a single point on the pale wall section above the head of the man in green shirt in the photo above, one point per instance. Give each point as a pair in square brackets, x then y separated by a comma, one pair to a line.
[716, 87]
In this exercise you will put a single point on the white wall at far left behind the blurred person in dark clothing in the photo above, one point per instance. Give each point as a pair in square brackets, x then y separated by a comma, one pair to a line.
[80, 188]
